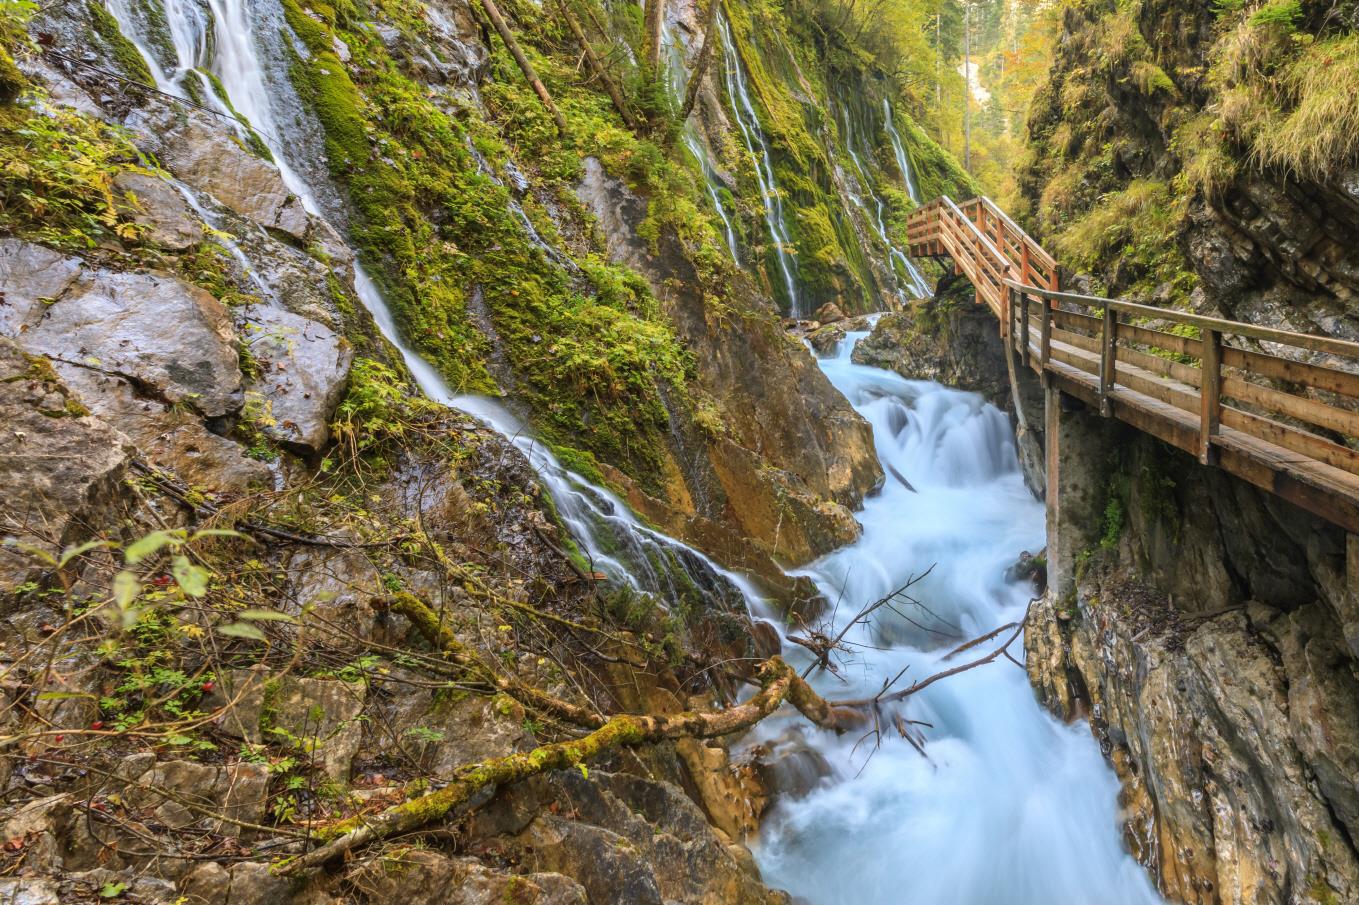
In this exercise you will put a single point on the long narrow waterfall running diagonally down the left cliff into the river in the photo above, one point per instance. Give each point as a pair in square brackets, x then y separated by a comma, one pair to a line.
[611, 537]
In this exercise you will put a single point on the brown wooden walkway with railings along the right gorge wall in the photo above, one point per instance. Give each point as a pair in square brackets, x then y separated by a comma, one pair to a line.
[1271, 407]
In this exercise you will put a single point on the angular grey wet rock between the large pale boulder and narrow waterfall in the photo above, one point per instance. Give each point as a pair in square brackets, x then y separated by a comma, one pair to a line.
[304, 370]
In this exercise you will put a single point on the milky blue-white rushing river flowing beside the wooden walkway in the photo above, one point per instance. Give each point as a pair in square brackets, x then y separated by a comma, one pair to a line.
[1012, 808]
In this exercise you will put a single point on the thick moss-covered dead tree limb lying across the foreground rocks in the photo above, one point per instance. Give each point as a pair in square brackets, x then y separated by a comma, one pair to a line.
[778, 684]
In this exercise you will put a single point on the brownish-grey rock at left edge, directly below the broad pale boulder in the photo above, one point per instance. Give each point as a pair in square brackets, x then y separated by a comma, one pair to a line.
[62, 471]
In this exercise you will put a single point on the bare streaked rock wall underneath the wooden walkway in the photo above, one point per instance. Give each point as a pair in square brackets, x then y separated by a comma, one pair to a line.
[1209, 642]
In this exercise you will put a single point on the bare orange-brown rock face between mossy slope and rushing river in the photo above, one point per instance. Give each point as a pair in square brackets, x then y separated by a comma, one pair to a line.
[789, 436]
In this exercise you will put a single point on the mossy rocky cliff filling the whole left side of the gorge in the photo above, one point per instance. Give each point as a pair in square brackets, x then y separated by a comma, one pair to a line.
[255, 584]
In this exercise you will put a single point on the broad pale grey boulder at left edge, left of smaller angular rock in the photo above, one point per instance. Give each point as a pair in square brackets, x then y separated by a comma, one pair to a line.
[168, 338]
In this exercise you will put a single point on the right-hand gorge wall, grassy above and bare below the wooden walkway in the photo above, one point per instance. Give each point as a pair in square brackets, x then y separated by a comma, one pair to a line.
[1191, 156]
